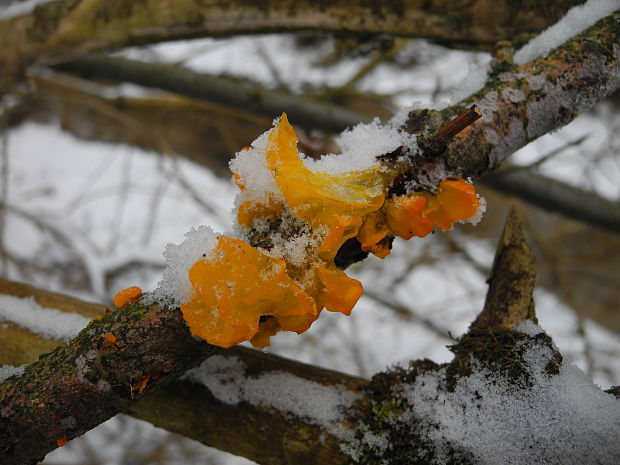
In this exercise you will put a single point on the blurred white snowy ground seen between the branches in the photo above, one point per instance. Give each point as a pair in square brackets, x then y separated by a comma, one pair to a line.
[117, 204]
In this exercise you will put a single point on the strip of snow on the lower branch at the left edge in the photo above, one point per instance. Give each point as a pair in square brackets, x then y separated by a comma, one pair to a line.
[46, 322]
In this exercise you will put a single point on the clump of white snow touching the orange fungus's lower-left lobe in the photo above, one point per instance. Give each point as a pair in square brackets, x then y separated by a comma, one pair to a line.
[174, 286]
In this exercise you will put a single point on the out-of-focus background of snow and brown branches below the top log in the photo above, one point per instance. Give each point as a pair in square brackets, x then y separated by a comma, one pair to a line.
[100, 168]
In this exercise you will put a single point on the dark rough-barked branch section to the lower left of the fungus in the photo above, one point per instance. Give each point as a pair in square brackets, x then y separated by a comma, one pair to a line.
[80, 384]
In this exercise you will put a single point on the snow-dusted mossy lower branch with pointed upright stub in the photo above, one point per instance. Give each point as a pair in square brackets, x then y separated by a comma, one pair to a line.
[498, 401]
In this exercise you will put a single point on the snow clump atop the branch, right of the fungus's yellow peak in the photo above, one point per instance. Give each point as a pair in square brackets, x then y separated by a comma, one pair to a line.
[360, 146]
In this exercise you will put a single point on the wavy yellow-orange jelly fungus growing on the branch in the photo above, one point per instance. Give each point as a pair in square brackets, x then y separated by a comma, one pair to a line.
[240, 293]
